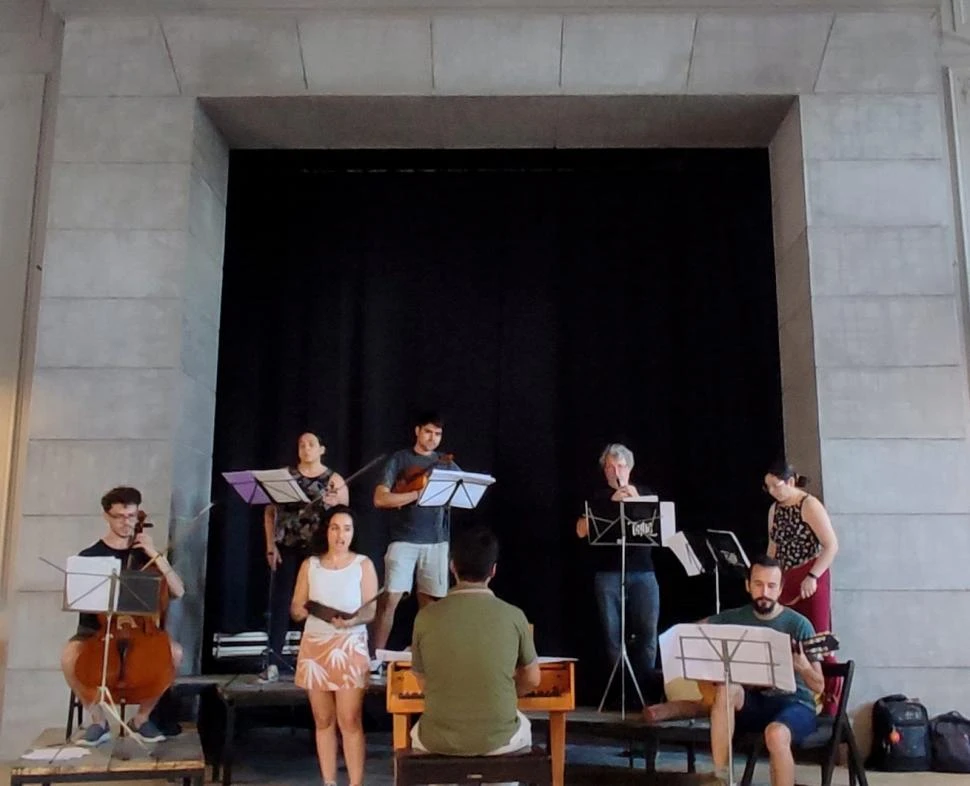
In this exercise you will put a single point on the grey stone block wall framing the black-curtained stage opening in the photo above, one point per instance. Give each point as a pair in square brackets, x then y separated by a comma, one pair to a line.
[874, 372]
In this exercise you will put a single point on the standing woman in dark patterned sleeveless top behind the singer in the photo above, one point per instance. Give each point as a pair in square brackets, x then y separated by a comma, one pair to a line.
[289, 529]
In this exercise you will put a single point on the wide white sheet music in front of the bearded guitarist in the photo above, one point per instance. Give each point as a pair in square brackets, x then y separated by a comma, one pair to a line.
[759, 656]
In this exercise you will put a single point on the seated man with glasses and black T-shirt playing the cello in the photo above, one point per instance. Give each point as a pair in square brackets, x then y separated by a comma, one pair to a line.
[120, 510]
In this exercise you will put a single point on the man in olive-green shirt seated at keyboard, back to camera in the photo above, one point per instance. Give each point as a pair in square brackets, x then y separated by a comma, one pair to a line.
[473, 655]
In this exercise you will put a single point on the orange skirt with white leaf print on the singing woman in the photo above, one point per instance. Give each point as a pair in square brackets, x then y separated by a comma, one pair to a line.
[338, 662]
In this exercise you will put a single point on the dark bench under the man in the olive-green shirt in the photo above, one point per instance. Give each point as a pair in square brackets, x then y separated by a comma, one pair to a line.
[413, 768]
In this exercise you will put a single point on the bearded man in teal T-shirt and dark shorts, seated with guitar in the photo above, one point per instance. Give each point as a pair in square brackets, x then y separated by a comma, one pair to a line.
[785, 718]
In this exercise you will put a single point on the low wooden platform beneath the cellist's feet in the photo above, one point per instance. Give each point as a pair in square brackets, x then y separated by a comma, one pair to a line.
[121, 759]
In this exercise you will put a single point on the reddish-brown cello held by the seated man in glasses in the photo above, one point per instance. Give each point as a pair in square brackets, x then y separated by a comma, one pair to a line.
[139, 652]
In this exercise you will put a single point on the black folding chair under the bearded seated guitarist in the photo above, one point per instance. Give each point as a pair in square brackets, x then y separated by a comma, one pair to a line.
[822, 746]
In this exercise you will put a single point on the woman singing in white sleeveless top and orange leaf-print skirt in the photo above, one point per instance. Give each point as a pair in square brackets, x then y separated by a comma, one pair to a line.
[333, 664]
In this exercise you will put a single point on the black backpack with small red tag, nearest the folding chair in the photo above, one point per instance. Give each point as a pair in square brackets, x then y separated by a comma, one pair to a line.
[900, 735]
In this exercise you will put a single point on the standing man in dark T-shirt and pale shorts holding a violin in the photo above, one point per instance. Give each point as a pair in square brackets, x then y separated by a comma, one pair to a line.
[418, 535]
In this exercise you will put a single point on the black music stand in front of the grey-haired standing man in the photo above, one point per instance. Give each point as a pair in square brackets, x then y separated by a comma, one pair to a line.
[637, 525]
